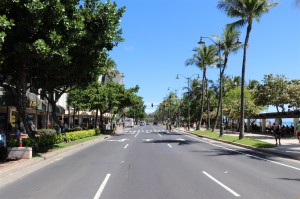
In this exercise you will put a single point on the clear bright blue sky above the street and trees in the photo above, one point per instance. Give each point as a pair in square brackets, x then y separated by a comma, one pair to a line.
[161, 34]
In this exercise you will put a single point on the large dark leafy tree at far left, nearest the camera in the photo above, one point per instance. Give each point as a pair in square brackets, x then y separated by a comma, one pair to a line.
[42, 34]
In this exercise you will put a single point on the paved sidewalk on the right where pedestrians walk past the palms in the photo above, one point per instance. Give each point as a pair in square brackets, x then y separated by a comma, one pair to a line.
[289, 148]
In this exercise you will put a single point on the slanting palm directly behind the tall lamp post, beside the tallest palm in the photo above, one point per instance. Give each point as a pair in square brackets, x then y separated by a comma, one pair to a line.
[228, 43]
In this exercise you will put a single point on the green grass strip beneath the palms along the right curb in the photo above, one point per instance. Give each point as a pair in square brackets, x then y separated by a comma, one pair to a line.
[235, 139]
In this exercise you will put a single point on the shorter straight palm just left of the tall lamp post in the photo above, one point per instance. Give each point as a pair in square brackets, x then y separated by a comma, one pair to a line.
[204, 56]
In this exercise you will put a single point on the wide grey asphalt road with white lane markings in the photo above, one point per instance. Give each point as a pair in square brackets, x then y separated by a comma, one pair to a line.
[146, 162]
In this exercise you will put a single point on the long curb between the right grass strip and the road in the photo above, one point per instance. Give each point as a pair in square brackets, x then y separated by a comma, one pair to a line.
[263, 150]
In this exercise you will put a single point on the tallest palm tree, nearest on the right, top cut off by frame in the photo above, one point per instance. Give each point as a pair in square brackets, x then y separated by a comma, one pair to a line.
[246, 10]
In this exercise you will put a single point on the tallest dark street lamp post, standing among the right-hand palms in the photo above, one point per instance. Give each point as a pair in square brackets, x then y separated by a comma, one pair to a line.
[221, 81]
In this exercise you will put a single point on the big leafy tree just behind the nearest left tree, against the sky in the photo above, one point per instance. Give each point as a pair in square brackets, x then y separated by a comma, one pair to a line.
[89, 56]
